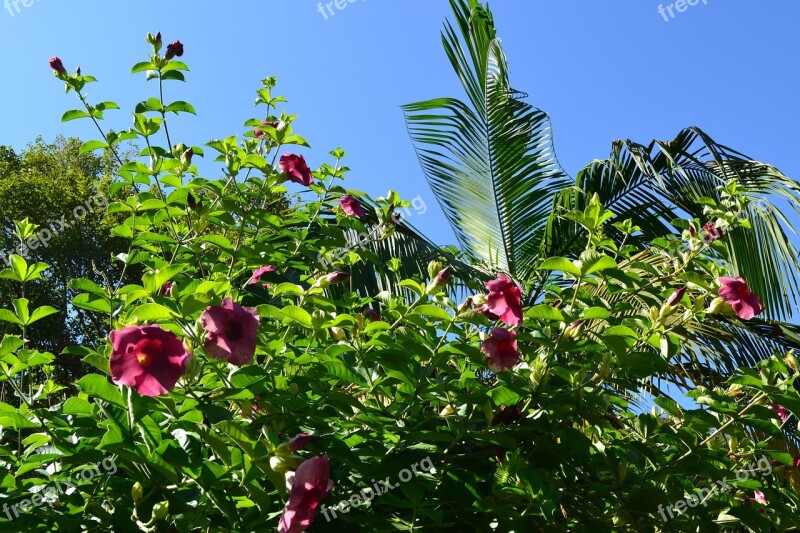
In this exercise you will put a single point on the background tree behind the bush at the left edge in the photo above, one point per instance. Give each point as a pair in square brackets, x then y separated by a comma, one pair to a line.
[51, 184]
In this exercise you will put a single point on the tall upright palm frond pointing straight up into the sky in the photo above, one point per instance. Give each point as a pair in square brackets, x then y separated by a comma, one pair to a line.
[489, 162]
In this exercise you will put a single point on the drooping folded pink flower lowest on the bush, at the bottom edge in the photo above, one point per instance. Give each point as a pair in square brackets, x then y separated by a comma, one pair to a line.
[309, 485]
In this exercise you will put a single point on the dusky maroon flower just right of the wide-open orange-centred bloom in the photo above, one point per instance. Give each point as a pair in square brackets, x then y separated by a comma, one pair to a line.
[230, 332]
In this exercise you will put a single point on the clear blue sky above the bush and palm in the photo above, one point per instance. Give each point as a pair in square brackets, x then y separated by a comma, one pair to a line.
[603, 70]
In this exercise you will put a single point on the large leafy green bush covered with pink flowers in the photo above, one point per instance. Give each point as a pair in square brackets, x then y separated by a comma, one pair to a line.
[245, 386]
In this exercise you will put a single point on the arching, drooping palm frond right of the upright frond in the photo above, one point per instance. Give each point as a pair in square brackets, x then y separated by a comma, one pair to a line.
[655, 184]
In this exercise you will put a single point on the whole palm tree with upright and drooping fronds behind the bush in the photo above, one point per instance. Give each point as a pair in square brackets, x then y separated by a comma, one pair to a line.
[491, 165]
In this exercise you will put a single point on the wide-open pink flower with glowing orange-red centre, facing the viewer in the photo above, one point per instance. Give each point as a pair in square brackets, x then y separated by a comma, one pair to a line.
[147, 358]
